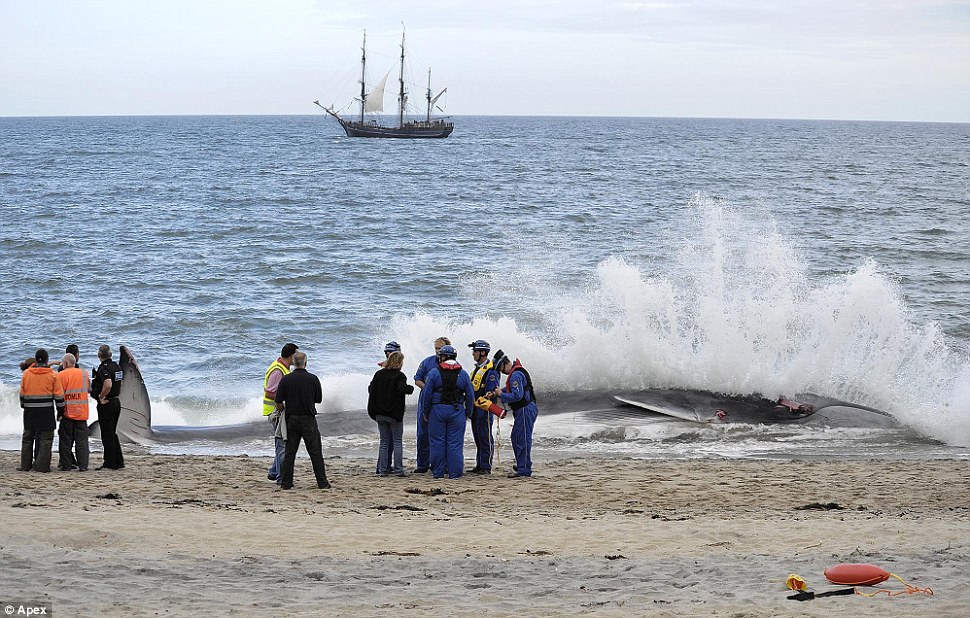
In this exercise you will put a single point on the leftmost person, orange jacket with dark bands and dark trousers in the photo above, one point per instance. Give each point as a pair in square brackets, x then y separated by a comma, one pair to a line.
[40, 394]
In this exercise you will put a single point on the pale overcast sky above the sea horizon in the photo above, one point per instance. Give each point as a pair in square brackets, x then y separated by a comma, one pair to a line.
[839, 59]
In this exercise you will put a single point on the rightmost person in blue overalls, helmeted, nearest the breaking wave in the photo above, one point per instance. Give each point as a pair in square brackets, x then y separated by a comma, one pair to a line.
[521, 398]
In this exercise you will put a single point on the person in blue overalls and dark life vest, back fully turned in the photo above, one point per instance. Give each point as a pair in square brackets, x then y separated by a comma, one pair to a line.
[446, 401]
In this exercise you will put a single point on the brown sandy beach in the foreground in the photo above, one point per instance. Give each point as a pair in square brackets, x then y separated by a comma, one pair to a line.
[192, 535]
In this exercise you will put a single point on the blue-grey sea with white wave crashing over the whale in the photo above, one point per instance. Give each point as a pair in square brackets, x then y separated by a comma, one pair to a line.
[607, 254]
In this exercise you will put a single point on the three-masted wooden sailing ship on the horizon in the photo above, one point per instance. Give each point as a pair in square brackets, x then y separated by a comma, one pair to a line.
[373, 101]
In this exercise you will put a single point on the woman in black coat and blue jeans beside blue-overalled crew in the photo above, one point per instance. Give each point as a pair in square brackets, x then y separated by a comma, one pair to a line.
[385, 404]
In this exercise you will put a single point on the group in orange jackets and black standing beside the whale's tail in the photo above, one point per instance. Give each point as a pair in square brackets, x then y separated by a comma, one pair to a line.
[54, 395]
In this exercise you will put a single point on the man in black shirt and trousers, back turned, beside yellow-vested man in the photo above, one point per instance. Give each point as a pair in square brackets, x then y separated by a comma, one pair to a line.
[296, 396]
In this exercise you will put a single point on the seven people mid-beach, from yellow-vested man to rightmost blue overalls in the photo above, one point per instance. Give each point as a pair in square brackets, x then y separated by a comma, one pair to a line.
[450, 397]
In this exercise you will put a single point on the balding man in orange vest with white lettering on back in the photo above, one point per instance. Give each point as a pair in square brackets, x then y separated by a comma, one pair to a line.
[73, 429]
